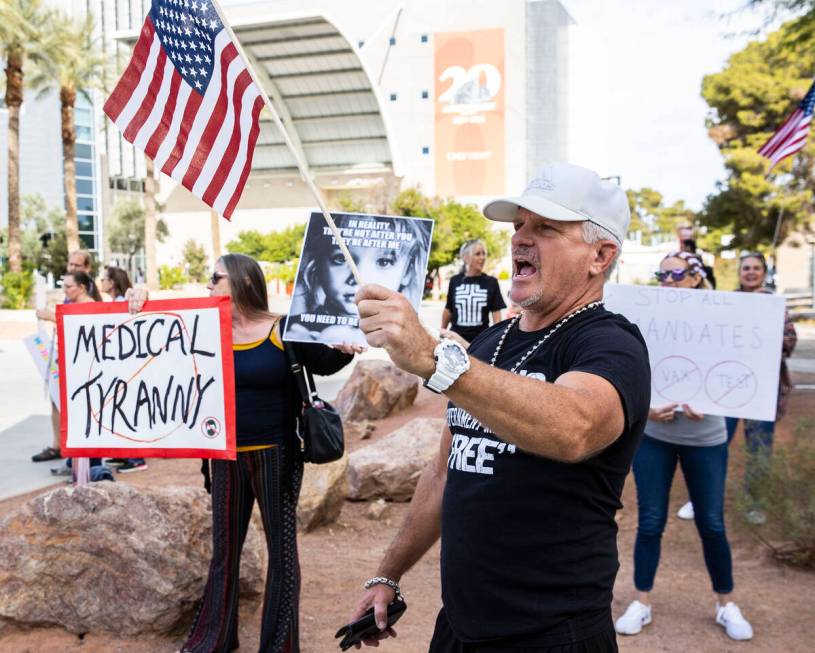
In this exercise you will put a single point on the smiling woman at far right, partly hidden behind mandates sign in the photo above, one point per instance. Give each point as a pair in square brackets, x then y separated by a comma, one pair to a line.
[758, 434]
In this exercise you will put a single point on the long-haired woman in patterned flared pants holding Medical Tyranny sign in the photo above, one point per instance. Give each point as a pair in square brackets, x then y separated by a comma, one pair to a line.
[268, 468]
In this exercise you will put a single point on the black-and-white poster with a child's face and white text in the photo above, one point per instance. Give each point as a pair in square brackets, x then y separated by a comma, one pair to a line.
[390, 251]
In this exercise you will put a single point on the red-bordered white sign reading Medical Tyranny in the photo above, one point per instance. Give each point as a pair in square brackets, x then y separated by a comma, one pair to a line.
[156, 384]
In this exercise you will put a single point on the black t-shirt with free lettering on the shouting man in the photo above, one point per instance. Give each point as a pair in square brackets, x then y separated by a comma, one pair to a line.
[529, 545]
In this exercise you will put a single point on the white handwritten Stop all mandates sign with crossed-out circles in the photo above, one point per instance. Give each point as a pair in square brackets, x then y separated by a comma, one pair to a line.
[719, 352]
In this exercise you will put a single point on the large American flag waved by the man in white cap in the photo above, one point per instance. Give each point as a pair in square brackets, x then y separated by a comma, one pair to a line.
[187, 100]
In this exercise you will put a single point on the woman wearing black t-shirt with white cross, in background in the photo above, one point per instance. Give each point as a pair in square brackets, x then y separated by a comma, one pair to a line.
[472, 296]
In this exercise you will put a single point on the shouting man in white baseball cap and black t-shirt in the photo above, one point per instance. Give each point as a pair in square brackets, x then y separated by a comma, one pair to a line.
[545, 413]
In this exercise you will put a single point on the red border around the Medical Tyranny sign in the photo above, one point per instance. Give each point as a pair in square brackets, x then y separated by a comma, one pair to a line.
[224, 306]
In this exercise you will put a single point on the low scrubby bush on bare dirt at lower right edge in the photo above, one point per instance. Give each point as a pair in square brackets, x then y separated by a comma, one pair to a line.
[787, 495]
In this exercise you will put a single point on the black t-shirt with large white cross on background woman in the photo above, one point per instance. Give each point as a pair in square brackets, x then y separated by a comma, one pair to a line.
[471, 300]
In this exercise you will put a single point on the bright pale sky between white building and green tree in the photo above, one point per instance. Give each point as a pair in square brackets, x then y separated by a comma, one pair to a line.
[637, 68]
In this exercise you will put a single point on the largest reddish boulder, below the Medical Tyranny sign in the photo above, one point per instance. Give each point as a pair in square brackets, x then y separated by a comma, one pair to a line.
[110, 557]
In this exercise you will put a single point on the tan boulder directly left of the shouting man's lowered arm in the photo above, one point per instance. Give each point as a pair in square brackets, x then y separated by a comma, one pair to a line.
[390, 468]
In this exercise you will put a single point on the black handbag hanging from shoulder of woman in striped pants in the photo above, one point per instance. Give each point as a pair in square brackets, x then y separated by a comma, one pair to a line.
[319, 426]
